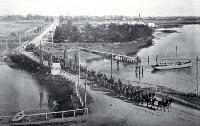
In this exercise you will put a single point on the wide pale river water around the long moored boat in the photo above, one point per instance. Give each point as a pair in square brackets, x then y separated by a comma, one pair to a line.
[186, 39]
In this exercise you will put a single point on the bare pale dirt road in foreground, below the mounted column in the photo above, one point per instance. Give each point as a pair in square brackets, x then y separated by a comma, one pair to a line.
[108, 110]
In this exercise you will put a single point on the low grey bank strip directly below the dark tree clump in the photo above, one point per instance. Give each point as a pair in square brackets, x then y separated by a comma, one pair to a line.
[125, 48]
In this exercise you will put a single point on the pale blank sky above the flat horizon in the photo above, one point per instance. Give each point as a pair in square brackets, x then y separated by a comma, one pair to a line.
[102, 7]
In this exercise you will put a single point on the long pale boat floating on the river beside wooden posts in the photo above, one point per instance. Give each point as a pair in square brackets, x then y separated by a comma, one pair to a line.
[176, 65]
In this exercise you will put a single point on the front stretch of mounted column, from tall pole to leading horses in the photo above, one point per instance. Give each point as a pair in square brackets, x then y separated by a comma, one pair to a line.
[132, 93]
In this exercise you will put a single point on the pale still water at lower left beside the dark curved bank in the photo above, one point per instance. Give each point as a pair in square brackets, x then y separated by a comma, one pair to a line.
[19, 91]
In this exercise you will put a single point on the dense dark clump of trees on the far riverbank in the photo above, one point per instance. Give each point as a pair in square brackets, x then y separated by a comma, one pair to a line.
[101, 33]
